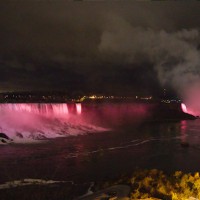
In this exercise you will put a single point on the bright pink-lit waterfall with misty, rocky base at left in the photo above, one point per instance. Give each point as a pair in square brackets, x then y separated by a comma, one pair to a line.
[26, 122]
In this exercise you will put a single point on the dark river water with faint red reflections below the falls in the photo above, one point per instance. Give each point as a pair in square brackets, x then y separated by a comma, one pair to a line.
[167, 146]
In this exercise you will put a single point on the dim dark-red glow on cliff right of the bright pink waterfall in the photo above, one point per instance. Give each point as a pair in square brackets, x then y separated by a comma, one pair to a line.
[117, 114]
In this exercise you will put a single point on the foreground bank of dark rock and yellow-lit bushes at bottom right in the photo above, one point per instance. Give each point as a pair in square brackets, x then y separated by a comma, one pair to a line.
[152, 185]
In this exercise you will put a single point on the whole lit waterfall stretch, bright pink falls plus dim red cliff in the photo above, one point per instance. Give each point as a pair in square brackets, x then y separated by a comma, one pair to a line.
[37, 121]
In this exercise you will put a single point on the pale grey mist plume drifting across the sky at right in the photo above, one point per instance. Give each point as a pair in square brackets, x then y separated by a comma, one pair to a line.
[174, 55]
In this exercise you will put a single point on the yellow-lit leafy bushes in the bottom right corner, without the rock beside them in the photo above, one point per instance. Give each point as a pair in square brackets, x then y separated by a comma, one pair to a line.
[155, 184]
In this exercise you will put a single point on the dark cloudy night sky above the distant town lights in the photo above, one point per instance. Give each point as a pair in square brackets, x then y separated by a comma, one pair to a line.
[122, 47]
